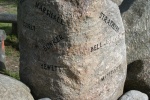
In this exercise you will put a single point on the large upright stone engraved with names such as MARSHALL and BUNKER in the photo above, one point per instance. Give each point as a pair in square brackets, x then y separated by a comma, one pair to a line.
[76, 53]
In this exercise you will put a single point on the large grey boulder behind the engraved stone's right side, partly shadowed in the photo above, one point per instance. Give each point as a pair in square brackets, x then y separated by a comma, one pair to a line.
[136, 18]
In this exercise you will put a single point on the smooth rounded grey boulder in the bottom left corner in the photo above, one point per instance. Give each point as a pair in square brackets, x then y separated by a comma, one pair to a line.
[11, 89]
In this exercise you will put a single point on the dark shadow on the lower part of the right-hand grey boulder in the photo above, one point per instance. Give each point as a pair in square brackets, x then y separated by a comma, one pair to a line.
[133, 82]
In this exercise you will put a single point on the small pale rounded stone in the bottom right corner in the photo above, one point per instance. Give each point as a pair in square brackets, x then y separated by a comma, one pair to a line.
[134, 95]
